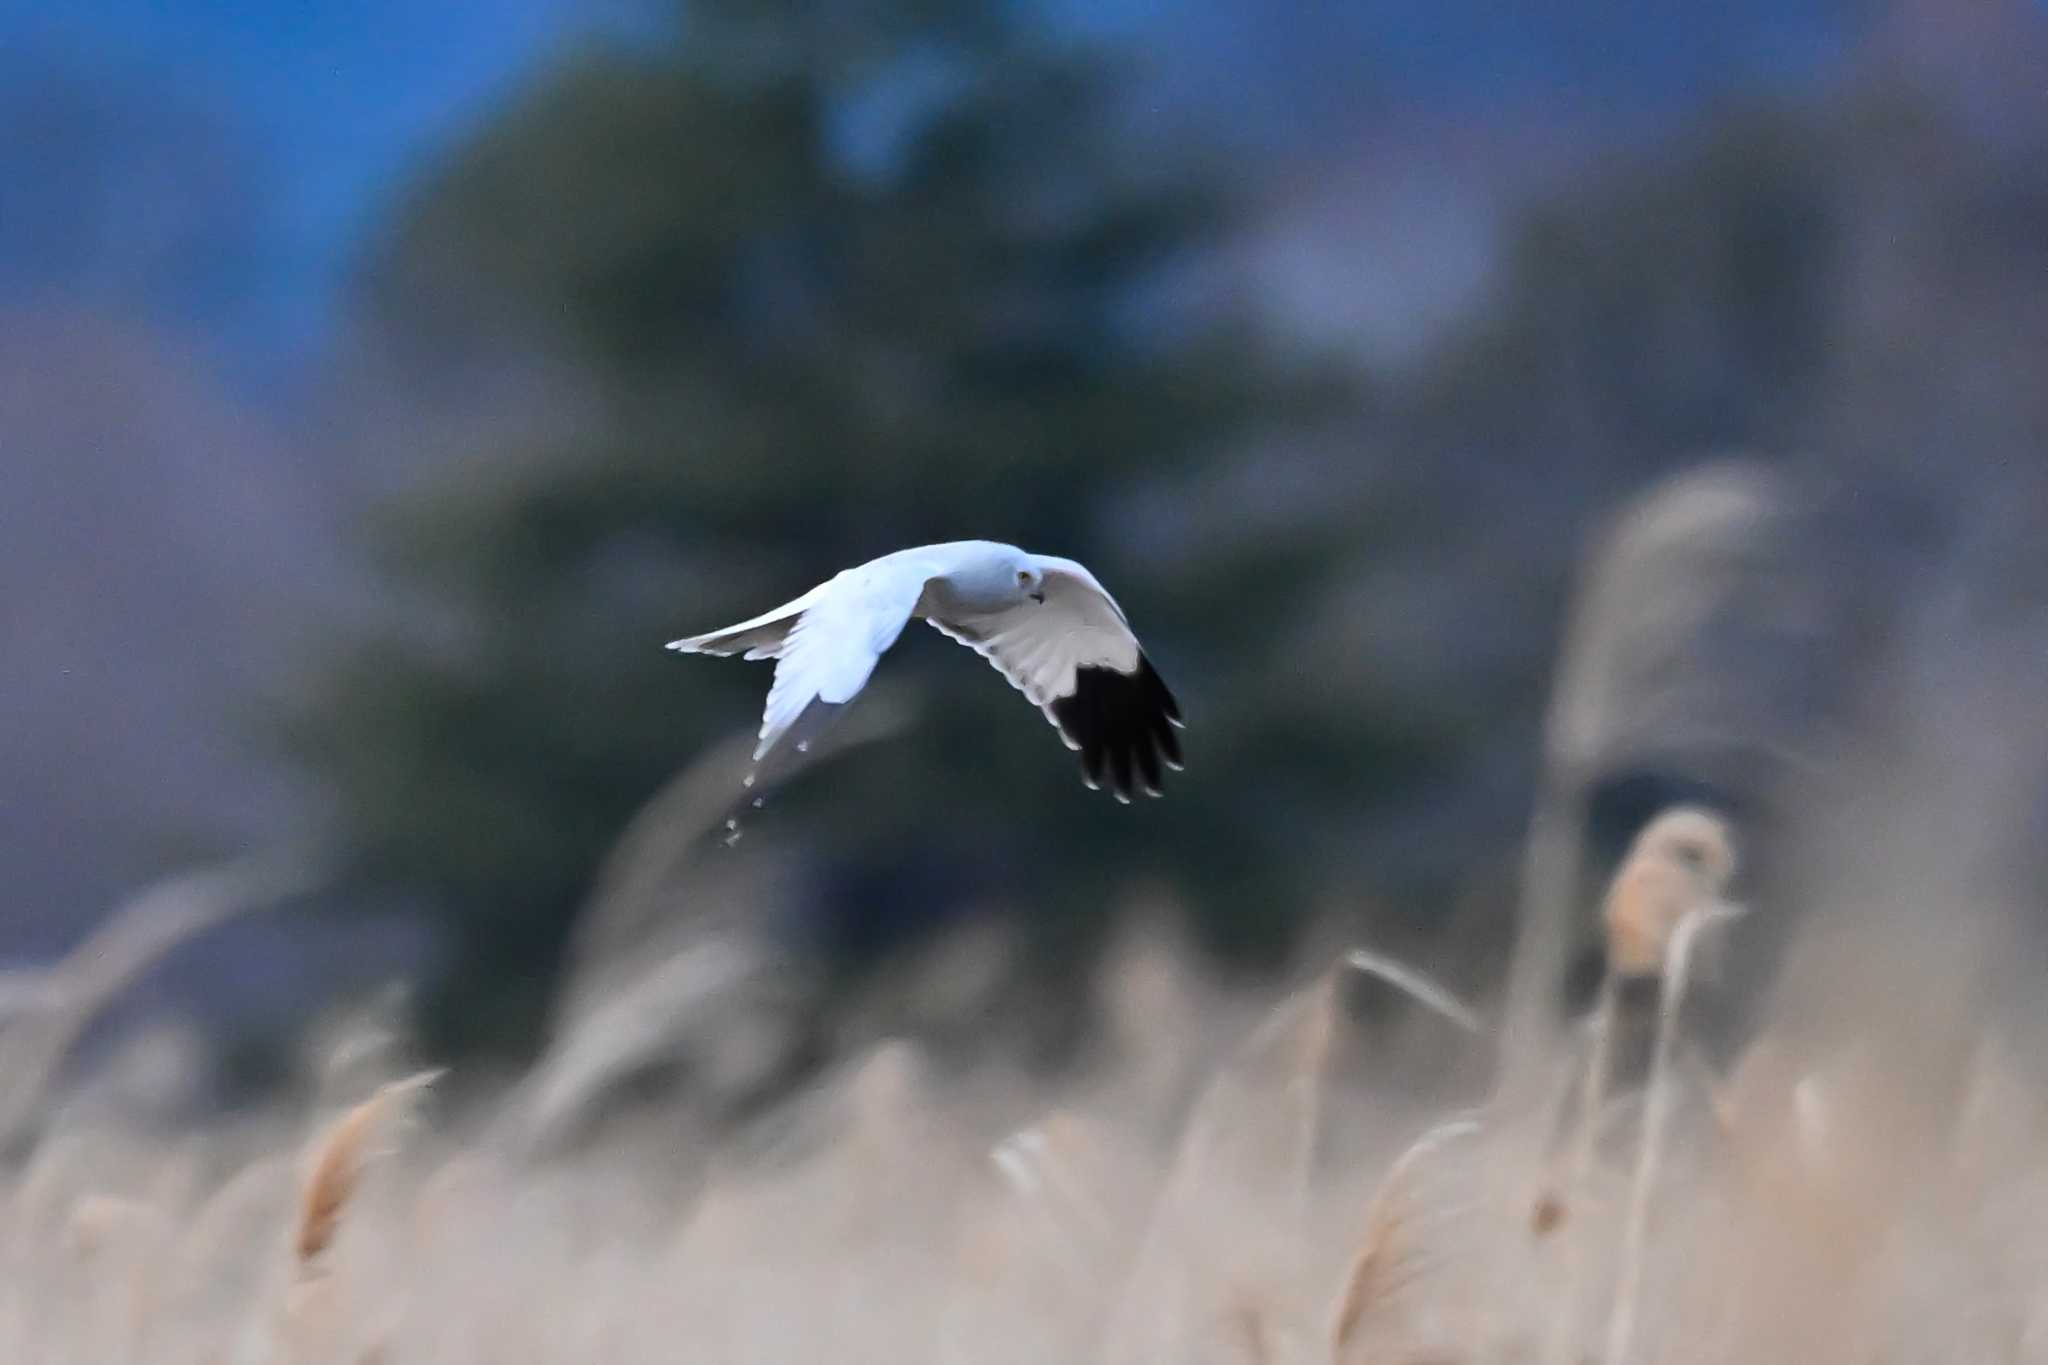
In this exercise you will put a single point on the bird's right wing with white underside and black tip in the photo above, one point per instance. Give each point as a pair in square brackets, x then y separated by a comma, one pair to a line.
[1076, 660]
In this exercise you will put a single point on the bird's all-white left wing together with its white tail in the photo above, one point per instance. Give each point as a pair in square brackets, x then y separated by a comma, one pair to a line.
[824, 646]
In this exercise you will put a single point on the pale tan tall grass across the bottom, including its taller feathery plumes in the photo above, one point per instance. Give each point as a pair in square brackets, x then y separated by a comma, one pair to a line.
[1232, 1180]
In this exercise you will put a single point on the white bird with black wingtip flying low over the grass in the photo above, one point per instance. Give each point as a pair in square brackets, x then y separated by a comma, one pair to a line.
[1046, 623]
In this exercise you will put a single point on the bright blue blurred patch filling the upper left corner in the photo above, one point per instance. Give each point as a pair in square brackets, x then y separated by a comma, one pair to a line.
[325, 107]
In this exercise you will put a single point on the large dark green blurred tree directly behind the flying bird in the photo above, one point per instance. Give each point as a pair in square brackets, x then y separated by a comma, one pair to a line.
[837, 279]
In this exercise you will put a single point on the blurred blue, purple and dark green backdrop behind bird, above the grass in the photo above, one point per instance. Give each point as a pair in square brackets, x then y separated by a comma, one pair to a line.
[382, 386]
